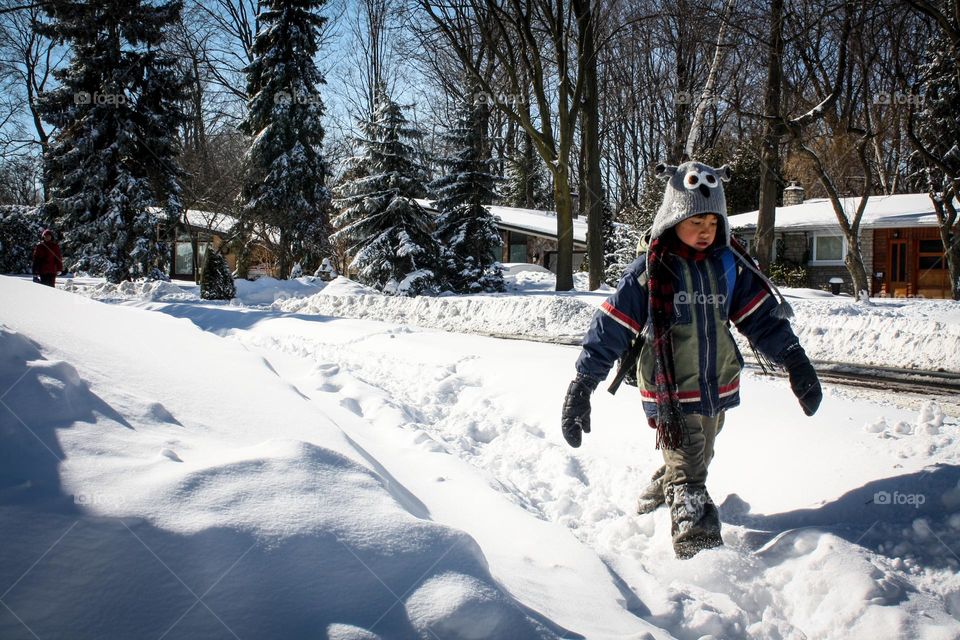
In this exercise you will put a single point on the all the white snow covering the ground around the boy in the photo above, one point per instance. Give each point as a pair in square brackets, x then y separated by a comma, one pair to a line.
[178, 467]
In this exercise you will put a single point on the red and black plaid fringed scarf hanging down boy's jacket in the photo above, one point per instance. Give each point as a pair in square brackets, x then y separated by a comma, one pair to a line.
[670, 420]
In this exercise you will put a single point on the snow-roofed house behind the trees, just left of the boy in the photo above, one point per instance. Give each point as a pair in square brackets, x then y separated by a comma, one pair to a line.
[530, 235]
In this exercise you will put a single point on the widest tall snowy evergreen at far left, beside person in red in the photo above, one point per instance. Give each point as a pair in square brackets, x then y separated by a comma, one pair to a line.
[114, 155]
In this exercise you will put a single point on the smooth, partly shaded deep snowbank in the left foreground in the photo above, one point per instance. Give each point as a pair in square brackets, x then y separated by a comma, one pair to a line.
[157, 479]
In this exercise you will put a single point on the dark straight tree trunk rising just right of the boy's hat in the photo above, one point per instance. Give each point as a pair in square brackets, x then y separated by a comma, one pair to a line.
[770, 145]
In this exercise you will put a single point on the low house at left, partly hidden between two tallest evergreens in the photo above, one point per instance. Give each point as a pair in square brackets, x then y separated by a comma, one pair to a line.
[198, 231]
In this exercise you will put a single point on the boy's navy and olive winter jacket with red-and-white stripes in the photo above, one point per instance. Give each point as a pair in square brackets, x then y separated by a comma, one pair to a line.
[707, 362]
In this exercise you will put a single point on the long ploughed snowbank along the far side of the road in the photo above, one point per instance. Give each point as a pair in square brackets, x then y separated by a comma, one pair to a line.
[907, 333]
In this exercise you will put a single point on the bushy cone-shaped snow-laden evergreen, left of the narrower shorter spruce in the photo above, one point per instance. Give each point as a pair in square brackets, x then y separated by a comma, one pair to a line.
[388, 234]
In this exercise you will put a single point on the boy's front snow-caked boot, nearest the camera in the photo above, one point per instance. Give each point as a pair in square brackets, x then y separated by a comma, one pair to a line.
[695, 521]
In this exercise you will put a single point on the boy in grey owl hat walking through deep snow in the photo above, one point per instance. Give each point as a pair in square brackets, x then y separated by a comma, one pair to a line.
[682, 294]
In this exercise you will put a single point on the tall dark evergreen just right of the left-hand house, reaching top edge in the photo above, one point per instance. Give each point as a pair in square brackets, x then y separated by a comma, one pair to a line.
[285, 170]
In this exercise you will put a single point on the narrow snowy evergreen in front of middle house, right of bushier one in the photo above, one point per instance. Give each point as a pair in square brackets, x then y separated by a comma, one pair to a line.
[470, 243]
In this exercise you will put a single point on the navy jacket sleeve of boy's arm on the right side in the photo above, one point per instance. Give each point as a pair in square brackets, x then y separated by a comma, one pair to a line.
[752, 311]
